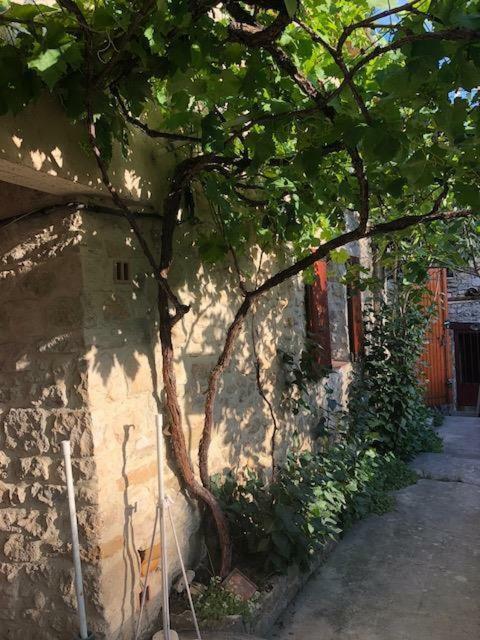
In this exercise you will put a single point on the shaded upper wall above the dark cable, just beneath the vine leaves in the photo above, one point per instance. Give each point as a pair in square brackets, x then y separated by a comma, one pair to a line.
[55, 157]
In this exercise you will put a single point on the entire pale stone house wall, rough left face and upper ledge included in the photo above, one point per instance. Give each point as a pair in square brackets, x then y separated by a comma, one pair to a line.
[79, 359]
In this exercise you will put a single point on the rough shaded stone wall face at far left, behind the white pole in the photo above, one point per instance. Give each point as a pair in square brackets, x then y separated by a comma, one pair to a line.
[43, 401]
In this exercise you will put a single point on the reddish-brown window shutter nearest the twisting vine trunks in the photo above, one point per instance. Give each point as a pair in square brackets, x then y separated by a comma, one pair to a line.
[316, 306]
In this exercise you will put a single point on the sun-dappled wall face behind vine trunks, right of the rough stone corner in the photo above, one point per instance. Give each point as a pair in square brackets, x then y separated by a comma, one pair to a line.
[123, 365]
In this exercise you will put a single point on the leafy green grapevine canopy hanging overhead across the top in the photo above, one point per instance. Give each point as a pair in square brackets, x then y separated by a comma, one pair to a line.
[299, 110]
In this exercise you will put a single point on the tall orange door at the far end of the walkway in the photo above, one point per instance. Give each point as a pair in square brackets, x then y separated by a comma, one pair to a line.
[437, 358]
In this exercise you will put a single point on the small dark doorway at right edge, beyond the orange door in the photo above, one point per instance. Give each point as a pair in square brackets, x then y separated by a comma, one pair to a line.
[467, 362]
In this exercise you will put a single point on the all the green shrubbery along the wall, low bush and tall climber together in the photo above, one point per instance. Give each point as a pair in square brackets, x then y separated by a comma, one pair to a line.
[362, 452]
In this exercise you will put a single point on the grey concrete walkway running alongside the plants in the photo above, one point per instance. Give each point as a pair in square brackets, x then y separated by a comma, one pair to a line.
[412, 574]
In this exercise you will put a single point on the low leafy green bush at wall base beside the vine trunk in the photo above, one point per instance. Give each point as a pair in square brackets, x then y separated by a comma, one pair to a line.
[314, 497]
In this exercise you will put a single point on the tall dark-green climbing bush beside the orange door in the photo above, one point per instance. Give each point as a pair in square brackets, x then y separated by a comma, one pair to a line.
[387, 405]
